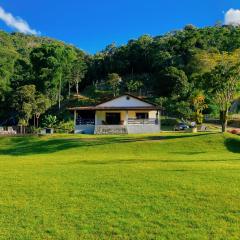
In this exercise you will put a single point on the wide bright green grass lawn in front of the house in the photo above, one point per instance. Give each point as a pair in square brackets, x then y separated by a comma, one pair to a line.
[166, 186]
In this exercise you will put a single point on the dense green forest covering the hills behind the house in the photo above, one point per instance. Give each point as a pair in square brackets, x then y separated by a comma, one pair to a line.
[188, 72]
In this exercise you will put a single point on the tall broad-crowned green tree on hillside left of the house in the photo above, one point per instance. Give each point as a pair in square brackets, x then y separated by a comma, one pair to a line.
[49, 64]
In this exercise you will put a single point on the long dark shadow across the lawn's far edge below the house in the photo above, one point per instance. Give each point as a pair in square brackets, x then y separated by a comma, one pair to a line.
[21, 146]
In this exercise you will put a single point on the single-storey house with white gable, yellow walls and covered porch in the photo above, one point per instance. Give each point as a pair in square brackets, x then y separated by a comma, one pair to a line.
[121, 115]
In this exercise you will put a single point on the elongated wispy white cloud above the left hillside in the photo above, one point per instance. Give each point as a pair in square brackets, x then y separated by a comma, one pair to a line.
[16, 22]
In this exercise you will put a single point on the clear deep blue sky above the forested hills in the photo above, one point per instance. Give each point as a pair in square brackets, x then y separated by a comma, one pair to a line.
[93, 24]
